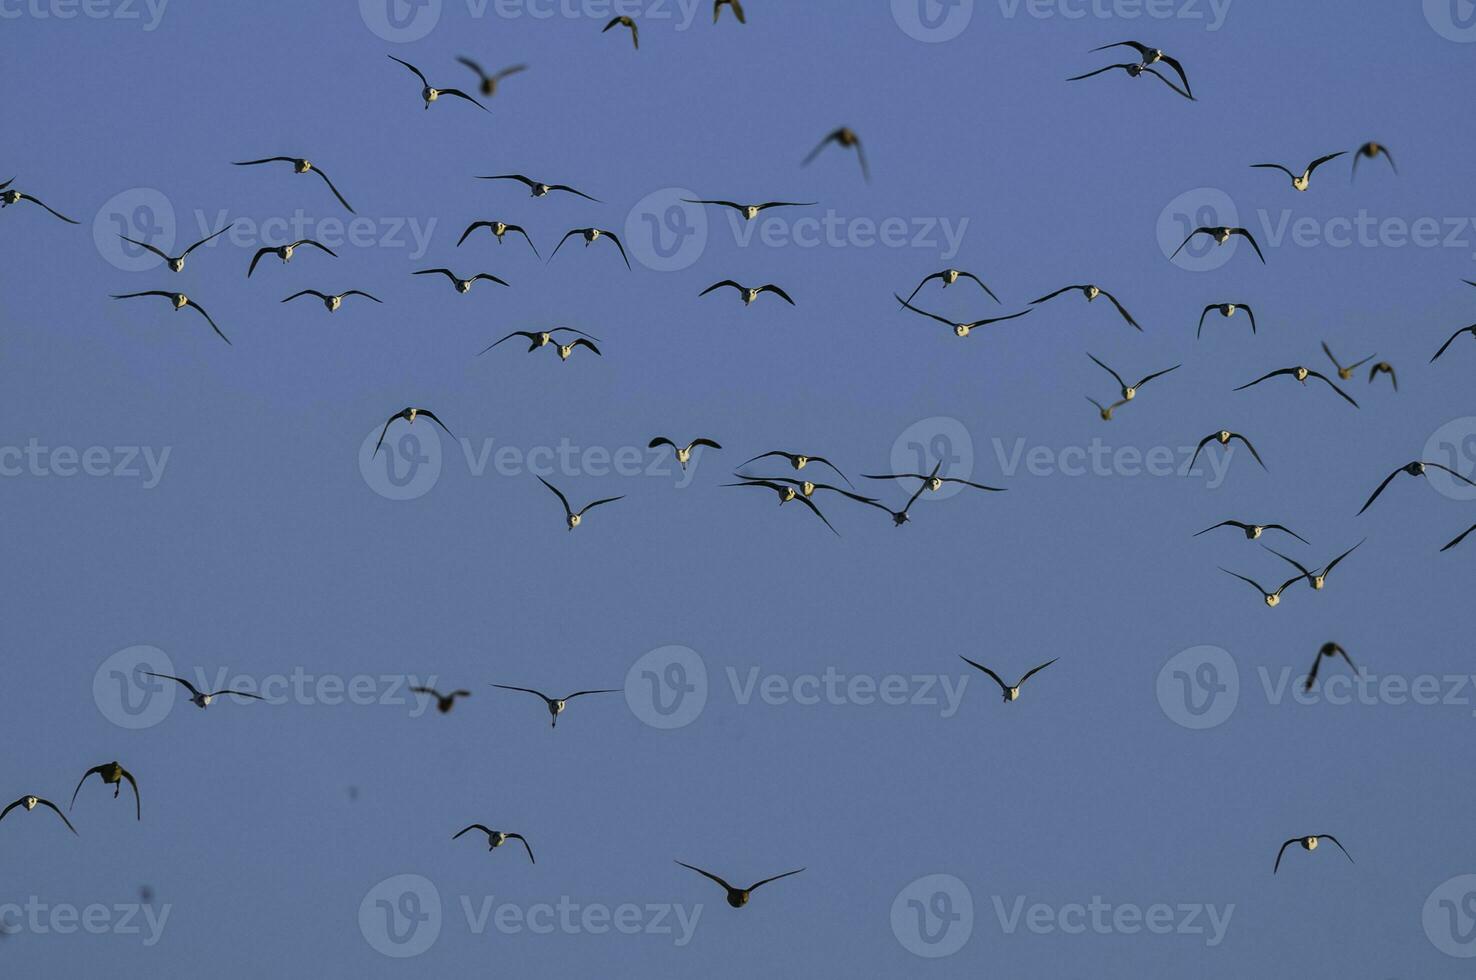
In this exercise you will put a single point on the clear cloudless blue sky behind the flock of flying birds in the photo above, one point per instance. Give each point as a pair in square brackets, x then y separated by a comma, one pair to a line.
[263, 550]
